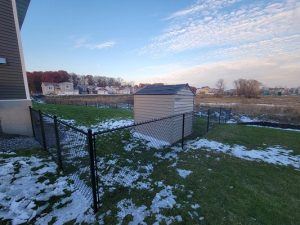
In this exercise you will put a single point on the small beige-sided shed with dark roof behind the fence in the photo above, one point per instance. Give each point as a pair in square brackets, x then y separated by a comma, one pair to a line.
[158, 101]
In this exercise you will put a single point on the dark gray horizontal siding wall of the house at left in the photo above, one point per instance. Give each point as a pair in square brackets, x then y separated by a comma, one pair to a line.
[11, 75]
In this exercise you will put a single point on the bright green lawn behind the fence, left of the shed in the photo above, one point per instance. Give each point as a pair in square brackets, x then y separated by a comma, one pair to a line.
[83, 115]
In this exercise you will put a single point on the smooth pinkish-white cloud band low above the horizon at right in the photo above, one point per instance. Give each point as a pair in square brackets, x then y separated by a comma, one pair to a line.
[271, 71]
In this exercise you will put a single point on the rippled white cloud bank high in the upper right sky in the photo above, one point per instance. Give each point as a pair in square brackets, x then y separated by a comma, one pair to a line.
[219, 24]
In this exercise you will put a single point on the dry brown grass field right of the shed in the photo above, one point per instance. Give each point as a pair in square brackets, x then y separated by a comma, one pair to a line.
[284, 109]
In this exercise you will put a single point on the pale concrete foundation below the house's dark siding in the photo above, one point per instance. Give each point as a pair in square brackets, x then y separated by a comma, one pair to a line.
[15, 117]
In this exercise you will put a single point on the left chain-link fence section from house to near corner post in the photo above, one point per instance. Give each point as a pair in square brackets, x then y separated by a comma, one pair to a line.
[68, 146]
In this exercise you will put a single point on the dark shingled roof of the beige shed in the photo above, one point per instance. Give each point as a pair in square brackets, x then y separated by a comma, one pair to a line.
[162, 89]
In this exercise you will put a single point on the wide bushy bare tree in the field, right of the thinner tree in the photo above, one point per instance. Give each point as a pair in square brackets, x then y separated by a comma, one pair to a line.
[247, 88]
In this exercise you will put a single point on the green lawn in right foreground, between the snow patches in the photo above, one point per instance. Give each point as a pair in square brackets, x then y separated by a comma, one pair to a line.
[229, 190]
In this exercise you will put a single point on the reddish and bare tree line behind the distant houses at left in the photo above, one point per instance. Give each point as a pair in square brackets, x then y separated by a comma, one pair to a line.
[36, 78]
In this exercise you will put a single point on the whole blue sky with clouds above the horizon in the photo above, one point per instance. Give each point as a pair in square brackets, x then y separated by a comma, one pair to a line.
[168, 41]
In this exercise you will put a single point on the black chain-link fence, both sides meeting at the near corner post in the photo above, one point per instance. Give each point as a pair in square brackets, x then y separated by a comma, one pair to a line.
[80, 153]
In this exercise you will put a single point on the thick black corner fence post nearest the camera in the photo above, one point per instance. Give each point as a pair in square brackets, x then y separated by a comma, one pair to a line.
[92, 167]
